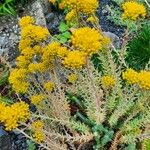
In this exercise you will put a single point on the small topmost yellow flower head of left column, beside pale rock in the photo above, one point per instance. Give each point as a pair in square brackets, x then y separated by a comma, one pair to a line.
[24, 21]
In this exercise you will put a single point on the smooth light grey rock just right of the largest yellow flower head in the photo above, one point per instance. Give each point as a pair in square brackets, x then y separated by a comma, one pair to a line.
[114, 38]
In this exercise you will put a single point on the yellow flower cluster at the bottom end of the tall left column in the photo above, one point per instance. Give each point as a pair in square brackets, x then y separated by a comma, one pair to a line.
[18, 79]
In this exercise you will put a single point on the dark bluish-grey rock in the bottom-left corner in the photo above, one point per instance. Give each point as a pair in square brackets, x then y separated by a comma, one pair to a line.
[5, 140]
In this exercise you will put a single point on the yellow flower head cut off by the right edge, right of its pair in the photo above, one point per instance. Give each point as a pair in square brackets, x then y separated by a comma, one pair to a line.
[144, 80]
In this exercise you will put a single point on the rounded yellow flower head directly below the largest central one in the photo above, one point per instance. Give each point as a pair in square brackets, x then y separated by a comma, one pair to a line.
[75, 59]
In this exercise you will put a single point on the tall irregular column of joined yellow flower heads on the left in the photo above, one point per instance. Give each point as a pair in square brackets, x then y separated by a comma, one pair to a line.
[30, 36]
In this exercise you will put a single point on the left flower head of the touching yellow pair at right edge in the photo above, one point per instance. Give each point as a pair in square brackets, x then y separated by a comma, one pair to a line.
[130, 76]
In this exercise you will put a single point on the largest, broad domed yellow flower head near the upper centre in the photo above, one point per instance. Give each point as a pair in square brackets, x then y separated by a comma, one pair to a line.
[88, 40]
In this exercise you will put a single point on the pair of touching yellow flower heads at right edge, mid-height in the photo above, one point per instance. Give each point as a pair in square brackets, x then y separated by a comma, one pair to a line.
[142, 78]
